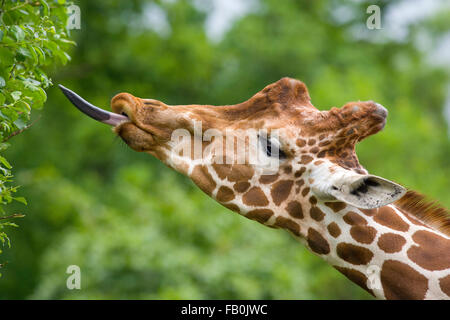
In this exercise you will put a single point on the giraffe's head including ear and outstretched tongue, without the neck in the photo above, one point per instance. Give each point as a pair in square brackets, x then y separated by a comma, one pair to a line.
[310, 153]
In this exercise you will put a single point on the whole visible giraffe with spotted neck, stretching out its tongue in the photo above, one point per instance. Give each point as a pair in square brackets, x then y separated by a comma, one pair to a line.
[390, 241]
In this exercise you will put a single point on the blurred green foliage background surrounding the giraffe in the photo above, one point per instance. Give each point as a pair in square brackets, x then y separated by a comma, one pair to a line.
[141, 231]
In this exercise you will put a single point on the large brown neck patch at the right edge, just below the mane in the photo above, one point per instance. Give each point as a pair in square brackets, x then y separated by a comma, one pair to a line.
[432, 251]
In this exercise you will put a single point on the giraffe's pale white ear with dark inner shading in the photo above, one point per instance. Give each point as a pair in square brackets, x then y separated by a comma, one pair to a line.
[366, 191]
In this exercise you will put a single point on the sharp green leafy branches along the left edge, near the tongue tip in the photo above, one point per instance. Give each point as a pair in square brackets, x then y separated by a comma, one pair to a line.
[33, 36]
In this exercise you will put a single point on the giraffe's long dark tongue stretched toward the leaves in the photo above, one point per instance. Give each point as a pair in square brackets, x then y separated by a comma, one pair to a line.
[92, 111]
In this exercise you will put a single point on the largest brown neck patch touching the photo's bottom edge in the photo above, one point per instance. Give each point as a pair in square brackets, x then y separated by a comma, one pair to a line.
[401, 282]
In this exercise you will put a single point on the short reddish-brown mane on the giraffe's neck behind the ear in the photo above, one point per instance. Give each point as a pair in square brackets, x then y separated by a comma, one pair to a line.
[429, 212]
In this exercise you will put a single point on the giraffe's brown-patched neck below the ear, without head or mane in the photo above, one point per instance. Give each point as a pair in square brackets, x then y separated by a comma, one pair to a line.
[385, 251]
